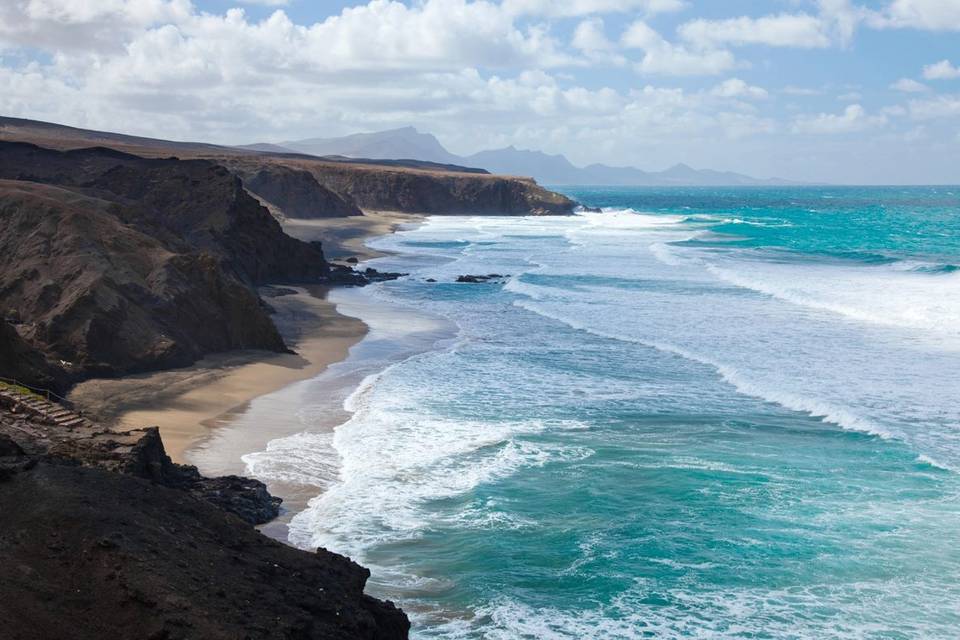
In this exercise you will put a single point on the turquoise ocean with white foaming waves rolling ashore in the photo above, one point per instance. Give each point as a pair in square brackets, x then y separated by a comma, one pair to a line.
[701, 413]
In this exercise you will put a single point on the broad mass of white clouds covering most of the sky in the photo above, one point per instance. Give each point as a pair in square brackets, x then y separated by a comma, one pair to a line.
[510, 68]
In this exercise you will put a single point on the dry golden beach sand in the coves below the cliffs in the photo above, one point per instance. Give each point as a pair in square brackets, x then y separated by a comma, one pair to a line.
[188, 404]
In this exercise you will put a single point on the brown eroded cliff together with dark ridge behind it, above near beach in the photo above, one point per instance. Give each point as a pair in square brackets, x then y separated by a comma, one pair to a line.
[119, 264]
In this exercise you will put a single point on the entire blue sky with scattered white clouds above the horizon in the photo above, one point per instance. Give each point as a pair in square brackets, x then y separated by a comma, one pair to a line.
[840, 91]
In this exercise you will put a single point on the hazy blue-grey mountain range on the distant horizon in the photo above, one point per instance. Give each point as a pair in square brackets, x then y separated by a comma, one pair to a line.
[408, 143]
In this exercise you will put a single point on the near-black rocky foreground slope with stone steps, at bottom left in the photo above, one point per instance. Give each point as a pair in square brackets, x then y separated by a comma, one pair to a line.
[103, 537]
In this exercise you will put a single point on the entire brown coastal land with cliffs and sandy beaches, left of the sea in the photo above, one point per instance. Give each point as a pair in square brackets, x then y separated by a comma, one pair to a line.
[167, 285]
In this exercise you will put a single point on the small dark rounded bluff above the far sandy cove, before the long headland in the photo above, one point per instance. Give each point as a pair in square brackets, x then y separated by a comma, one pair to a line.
[298, 194]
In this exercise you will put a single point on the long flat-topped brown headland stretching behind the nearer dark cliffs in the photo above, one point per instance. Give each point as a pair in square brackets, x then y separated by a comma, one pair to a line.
[297, 185]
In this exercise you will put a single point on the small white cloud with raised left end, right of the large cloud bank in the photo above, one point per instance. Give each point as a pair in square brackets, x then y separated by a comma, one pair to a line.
[665, 58]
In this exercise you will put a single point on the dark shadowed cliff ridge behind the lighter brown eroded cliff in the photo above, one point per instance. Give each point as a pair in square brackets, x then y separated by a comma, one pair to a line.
[196, 205]
